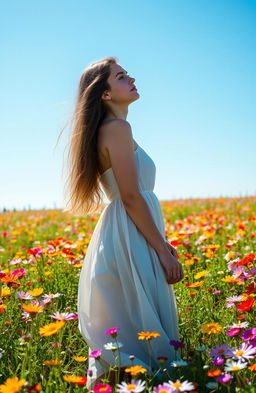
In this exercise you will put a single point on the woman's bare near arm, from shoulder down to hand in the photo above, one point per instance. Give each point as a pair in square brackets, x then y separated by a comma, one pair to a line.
[120, 146]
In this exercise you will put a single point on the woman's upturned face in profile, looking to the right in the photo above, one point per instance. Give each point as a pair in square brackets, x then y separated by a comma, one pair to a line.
[121, 84]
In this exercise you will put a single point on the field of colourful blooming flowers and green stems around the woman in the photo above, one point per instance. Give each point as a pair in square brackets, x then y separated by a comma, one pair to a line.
[41, 254]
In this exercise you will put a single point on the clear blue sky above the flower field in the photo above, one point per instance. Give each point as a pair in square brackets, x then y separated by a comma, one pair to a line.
[194, 63]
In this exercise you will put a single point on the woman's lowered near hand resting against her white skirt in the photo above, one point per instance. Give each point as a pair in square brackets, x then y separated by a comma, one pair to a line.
[173, 268]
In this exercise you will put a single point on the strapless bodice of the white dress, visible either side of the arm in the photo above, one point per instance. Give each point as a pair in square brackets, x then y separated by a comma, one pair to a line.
[146, 170]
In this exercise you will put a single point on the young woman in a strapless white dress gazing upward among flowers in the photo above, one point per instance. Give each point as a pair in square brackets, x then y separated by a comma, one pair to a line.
[129, 266]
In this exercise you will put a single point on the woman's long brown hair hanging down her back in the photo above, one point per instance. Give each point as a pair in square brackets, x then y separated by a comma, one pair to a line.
[85, 194]
